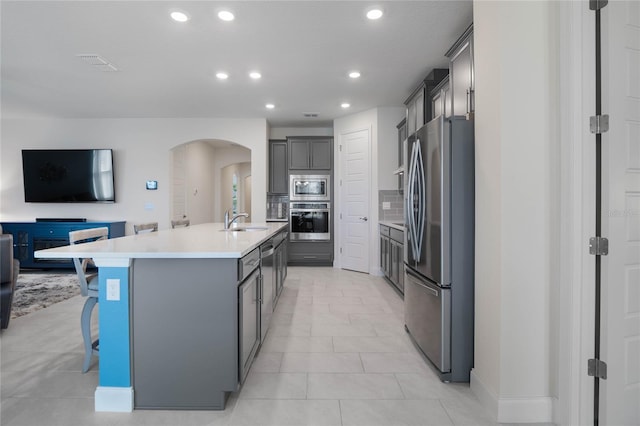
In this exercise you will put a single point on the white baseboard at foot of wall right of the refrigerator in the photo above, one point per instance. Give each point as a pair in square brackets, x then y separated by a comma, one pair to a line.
[513, 410]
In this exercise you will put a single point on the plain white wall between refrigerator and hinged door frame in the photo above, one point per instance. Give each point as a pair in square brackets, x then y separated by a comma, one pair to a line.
[515, 144]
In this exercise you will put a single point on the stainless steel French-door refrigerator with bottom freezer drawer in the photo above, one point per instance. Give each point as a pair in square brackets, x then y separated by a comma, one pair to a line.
[439, 244]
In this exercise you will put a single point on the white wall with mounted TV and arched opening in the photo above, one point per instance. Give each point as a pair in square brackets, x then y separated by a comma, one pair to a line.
[141, 152]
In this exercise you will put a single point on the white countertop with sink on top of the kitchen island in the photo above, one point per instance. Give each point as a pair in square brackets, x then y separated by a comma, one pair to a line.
[207, 240]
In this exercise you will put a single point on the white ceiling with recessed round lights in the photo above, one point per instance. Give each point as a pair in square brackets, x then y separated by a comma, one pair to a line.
[303, 49]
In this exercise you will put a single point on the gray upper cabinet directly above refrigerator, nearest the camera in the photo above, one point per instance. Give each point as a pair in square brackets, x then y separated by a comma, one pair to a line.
[461, 75]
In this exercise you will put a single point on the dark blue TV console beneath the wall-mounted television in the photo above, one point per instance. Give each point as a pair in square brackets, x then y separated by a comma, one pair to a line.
[43, 234]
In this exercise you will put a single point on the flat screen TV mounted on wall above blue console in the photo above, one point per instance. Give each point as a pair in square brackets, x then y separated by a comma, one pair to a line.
[68, 175]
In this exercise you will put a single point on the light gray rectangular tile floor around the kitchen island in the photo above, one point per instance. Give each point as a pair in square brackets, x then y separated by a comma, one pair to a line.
[336, 354]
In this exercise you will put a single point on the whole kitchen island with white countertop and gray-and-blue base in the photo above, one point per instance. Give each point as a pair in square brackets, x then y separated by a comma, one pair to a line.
[177, 308]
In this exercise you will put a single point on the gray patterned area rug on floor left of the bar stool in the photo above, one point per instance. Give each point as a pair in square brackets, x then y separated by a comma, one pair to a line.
[37, 290]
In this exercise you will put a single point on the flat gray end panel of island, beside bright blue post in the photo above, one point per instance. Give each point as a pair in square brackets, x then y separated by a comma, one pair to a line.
[184, 332]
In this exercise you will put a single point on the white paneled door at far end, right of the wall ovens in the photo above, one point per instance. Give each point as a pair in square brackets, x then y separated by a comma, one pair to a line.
[354, 200]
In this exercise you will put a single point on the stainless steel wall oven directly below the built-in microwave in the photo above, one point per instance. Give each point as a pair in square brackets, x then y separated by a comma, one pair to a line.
[310, 221]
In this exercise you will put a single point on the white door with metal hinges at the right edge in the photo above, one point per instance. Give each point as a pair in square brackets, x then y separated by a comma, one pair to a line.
[620, 397]
